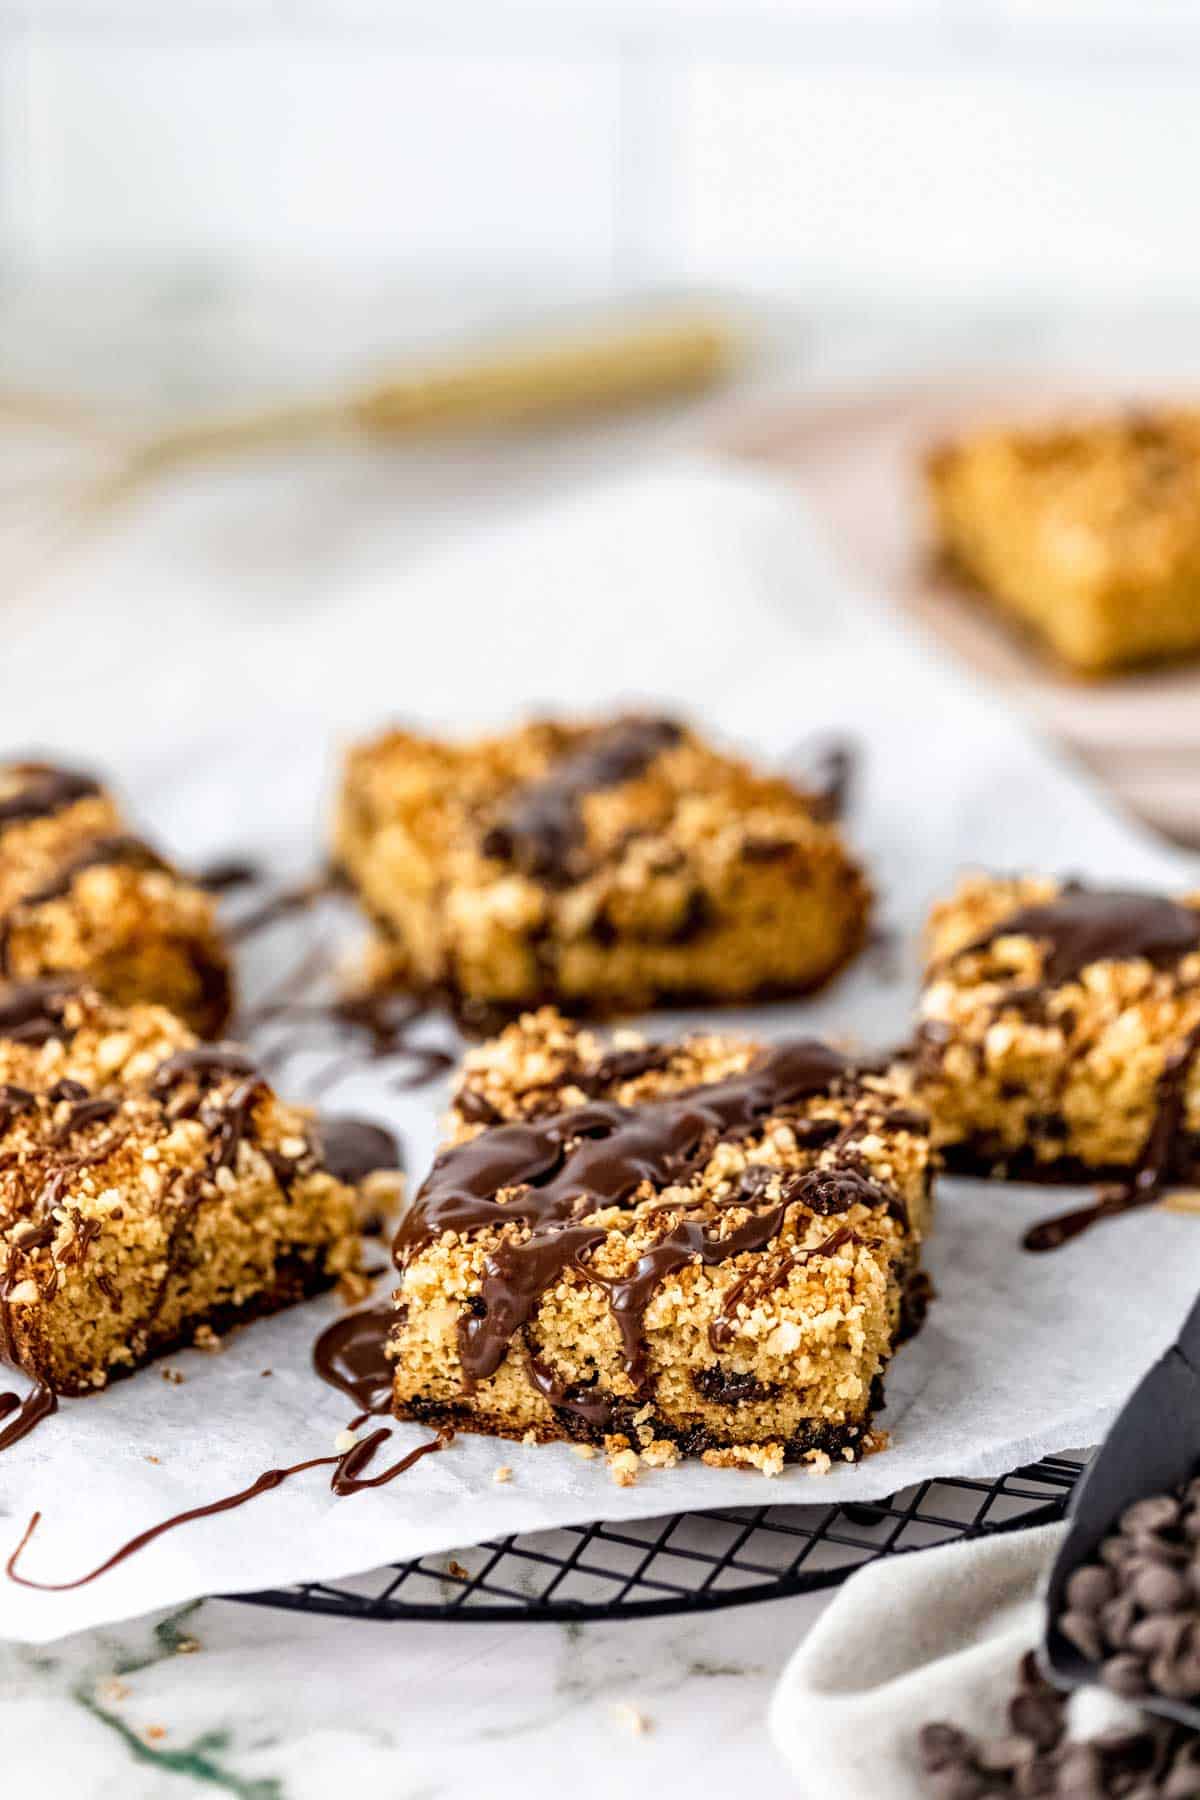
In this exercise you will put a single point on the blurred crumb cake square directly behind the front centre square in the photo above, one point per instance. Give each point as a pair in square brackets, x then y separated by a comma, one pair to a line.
[598, 867]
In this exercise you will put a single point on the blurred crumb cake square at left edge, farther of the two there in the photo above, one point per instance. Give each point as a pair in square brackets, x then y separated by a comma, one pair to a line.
[82, 895]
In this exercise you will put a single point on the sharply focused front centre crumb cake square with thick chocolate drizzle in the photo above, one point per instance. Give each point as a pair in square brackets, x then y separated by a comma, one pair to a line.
[706, 1246]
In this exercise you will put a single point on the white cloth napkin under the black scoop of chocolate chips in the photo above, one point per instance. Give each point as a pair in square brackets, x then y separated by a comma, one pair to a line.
[936, 1635]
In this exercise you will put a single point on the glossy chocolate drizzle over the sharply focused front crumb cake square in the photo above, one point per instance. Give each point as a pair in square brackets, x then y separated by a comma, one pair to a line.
[559, 1171]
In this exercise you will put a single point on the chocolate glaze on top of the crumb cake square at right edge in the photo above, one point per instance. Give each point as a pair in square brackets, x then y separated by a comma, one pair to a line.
[1089, 926]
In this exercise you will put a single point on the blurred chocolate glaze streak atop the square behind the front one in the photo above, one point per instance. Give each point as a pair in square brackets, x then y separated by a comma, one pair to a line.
[541, 829]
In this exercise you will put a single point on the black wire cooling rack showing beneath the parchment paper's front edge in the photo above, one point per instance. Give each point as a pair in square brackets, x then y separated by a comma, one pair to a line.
[688, 1563]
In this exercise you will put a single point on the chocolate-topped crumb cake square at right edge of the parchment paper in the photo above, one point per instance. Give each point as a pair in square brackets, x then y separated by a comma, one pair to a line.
[1061, 1030]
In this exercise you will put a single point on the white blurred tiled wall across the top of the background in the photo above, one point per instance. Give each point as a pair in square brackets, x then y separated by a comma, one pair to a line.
[873, 148]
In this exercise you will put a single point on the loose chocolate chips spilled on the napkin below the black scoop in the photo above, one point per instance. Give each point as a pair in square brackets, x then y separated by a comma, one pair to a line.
[1152, 1761]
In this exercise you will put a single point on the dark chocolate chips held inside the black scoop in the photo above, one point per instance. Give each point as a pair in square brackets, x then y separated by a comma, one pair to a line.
[1136, 1612]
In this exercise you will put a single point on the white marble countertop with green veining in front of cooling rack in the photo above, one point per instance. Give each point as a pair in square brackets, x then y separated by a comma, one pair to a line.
[287, 1707]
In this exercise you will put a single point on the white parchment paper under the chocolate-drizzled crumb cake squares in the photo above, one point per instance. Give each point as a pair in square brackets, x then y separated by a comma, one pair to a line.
[708, 591]
